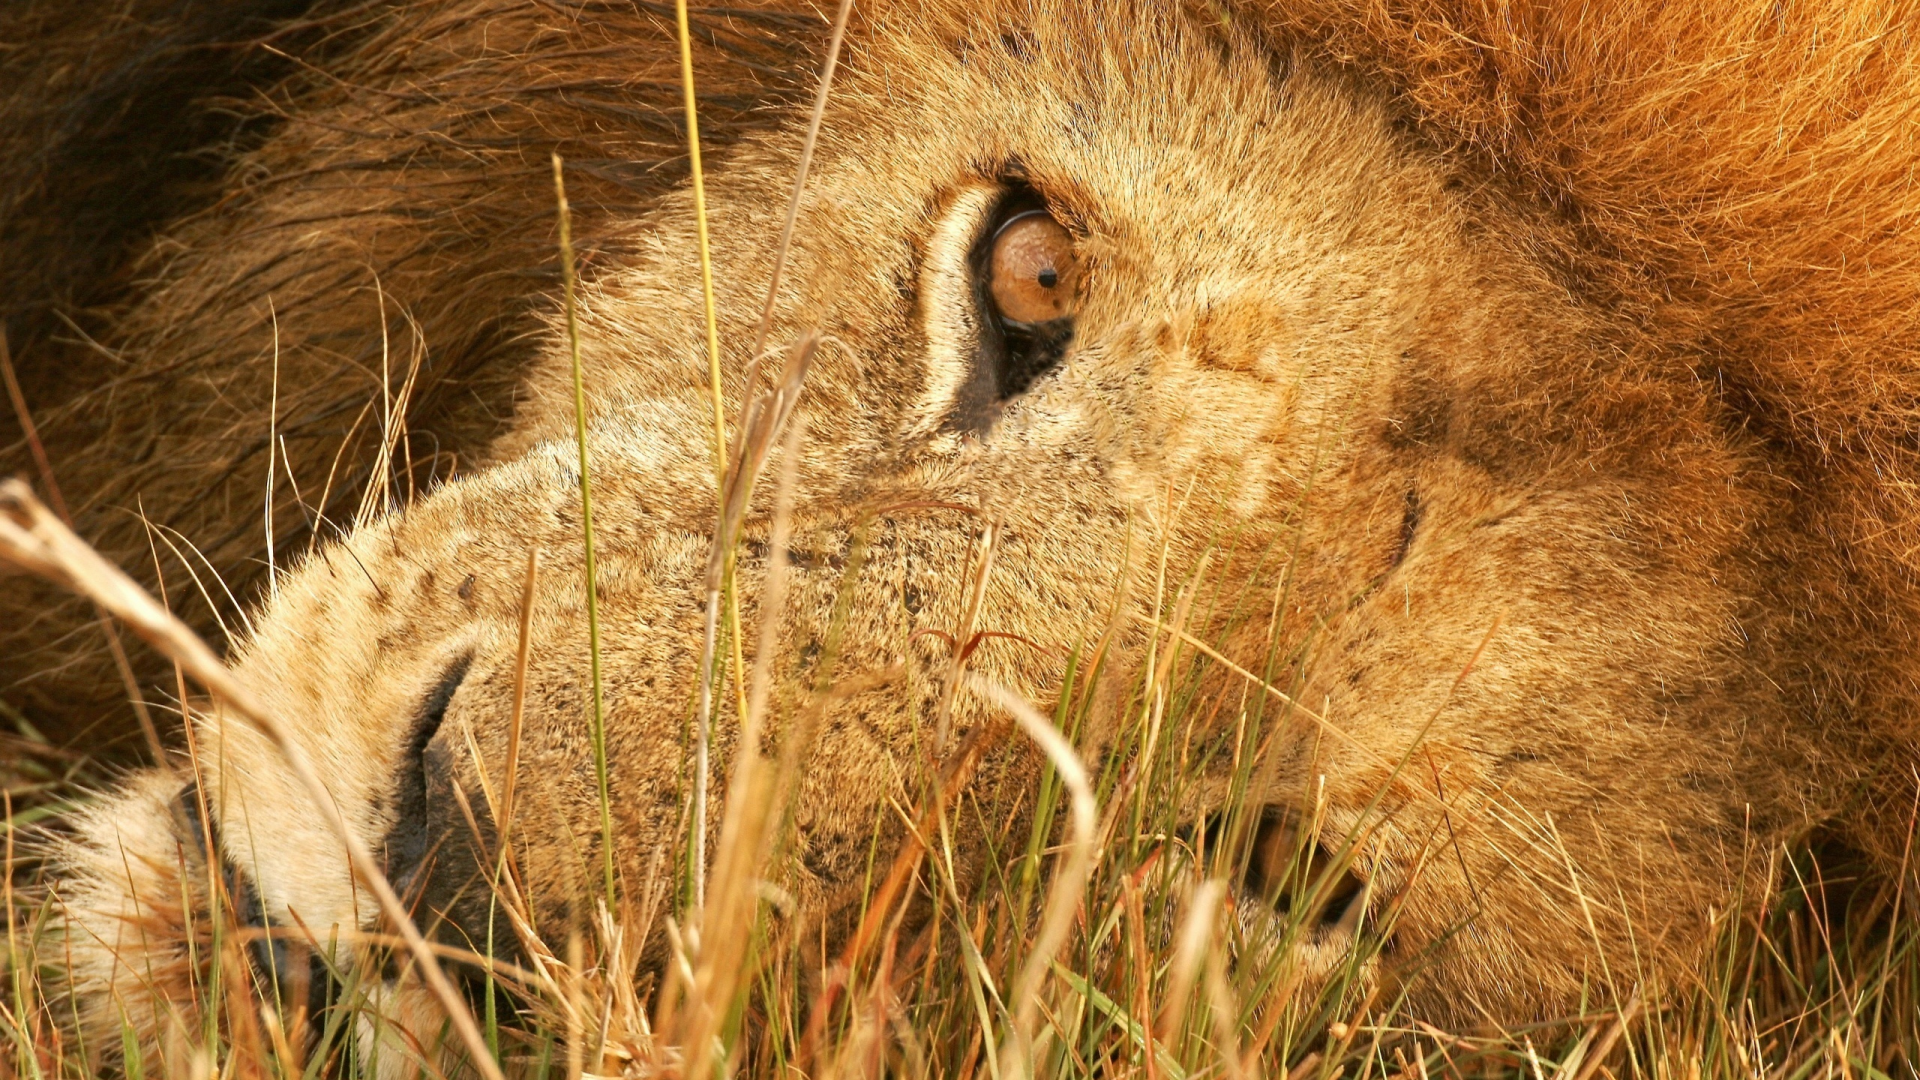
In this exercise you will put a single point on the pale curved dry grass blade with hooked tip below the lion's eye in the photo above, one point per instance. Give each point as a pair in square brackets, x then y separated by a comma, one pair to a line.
[1070, 885]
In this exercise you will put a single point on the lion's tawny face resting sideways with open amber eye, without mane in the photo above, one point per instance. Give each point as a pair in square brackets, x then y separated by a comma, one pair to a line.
[1134, 297]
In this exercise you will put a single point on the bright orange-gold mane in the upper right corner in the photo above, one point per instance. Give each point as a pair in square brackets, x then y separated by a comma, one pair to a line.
[1739, 182]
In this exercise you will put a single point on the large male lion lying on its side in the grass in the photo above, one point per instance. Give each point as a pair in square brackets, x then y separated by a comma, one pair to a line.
[1535, 383]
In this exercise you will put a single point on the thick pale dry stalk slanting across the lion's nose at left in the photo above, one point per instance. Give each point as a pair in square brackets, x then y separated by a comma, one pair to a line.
[36, 541]
